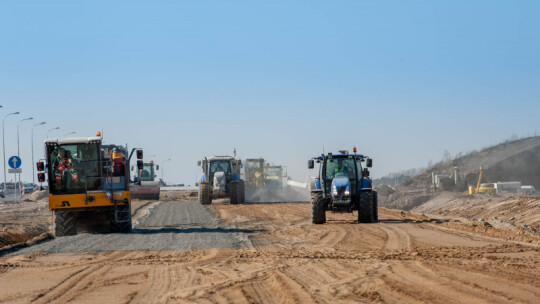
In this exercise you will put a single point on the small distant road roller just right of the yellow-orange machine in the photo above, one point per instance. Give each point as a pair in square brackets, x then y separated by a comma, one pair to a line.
[148, 188]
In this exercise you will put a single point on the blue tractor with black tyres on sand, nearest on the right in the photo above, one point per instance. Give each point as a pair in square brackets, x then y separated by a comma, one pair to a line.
[343, 186]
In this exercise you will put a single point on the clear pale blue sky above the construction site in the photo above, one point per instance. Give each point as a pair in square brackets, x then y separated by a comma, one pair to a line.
[402, 80]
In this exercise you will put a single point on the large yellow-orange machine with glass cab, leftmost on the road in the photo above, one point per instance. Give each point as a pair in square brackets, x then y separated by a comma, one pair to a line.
[88, 181]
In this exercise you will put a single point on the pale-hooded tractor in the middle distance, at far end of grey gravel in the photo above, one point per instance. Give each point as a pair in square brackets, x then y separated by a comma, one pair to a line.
[221, 179]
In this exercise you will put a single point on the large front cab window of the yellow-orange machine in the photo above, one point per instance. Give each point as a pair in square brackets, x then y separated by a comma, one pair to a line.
[73, 168]
